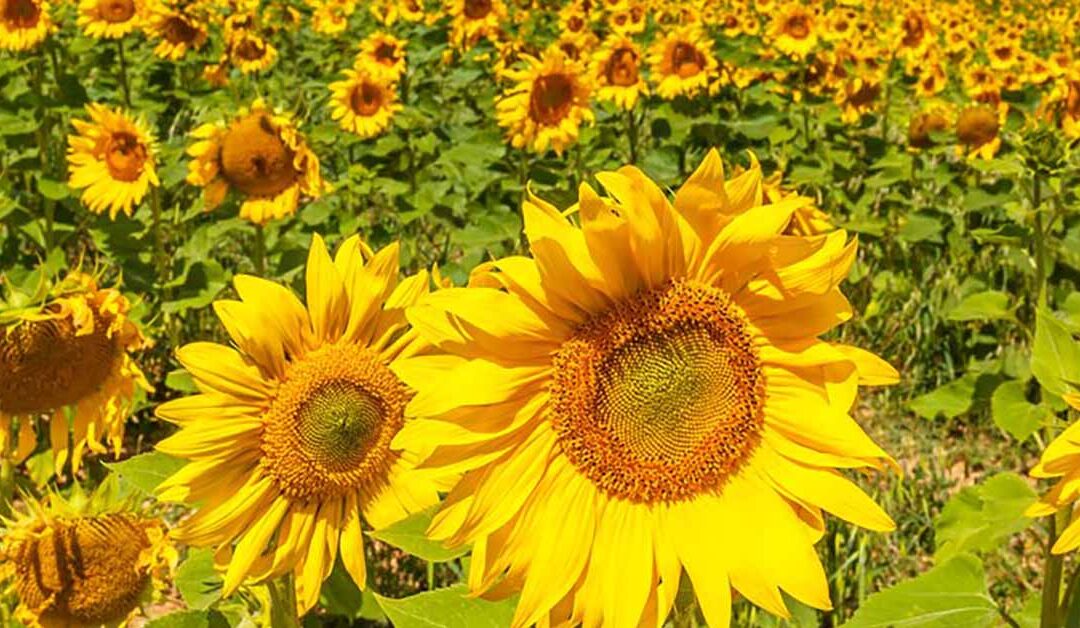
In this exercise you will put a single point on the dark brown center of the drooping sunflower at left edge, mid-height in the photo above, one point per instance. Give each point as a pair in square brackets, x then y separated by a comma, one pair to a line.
[47, 367]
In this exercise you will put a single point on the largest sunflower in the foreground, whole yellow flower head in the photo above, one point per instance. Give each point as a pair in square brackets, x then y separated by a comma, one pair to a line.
[655, 399]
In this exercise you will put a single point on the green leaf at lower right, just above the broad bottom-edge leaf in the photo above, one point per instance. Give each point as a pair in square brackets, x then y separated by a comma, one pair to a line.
[979, 518]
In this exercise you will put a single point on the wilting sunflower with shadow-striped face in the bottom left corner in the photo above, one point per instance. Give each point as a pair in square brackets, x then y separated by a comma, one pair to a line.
[84, 563]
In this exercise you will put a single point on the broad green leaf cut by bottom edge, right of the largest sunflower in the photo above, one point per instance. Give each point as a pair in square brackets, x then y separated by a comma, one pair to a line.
[953, 595]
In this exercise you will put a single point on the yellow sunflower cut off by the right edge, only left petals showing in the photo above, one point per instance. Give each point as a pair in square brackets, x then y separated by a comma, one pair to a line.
[1060, 462]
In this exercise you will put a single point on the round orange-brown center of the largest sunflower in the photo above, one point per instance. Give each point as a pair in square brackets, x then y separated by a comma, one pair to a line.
[661, 398]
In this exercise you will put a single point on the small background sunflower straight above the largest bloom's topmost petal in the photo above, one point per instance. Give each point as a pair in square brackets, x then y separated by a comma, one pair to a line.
[681, 63]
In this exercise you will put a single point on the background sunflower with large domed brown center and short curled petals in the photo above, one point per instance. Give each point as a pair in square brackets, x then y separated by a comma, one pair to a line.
[259, 154]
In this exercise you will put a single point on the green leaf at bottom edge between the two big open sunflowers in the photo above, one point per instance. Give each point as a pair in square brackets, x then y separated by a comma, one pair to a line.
[448, 609]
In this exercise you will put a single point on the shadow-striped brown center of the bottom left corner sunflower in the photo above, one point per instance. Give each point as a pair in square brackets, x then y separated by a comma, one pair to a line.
[84, 572]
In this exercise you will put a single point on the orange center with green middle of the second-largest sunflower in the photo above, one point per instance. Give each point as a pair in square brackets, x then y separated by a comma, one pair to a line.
[329, 431]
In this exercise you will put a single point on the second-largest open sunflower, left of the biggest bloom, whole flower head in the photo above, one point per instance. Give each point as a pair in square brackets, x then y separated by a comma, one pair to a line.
[289, 444]
